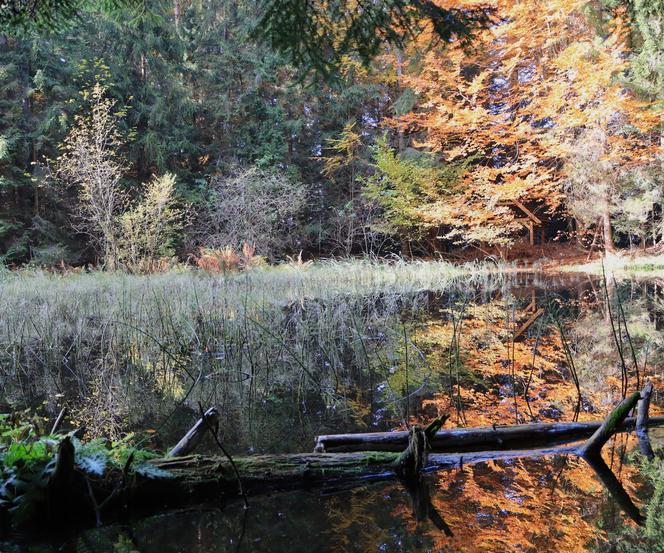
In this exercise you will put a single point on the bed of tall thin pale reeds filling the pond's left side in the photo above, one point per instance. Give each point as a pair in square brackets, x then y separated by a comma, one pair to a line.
[322, 335]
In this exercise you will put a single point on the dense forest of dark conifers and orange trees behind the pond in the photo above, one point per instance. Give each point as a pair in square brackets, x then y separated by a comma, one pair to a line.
[159, 119]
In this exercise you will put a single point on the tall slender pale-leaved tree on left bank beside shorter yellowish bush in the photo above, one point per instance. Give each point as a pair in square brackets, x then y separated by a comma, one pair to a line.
[91, 162]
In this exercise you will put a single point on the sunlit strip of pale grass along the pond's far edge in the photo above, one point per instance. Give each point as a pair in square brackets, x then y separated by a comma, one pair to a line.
[318, 279]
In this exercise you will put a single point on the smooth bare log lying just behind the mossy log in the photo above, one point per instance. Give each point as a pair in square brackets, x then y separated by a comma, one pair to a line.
[475, 439]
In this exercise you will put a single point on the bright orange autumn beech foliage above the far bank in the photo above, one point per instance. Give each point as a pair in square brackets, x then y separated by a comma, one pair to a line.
[532, 84]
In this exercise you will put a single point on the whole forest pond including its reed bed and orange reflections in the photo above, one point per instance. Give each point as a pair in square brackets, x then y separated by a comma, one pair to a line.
[286, 362]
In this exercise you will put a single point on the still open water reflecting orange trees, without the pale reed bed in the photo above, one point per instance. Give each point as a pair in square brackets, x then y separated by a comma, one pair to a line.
[504, 351]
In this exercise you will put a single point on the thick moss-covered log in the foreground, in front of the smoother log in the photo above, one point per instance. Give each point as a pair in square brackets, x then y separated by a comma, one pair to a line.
[197, 479]
